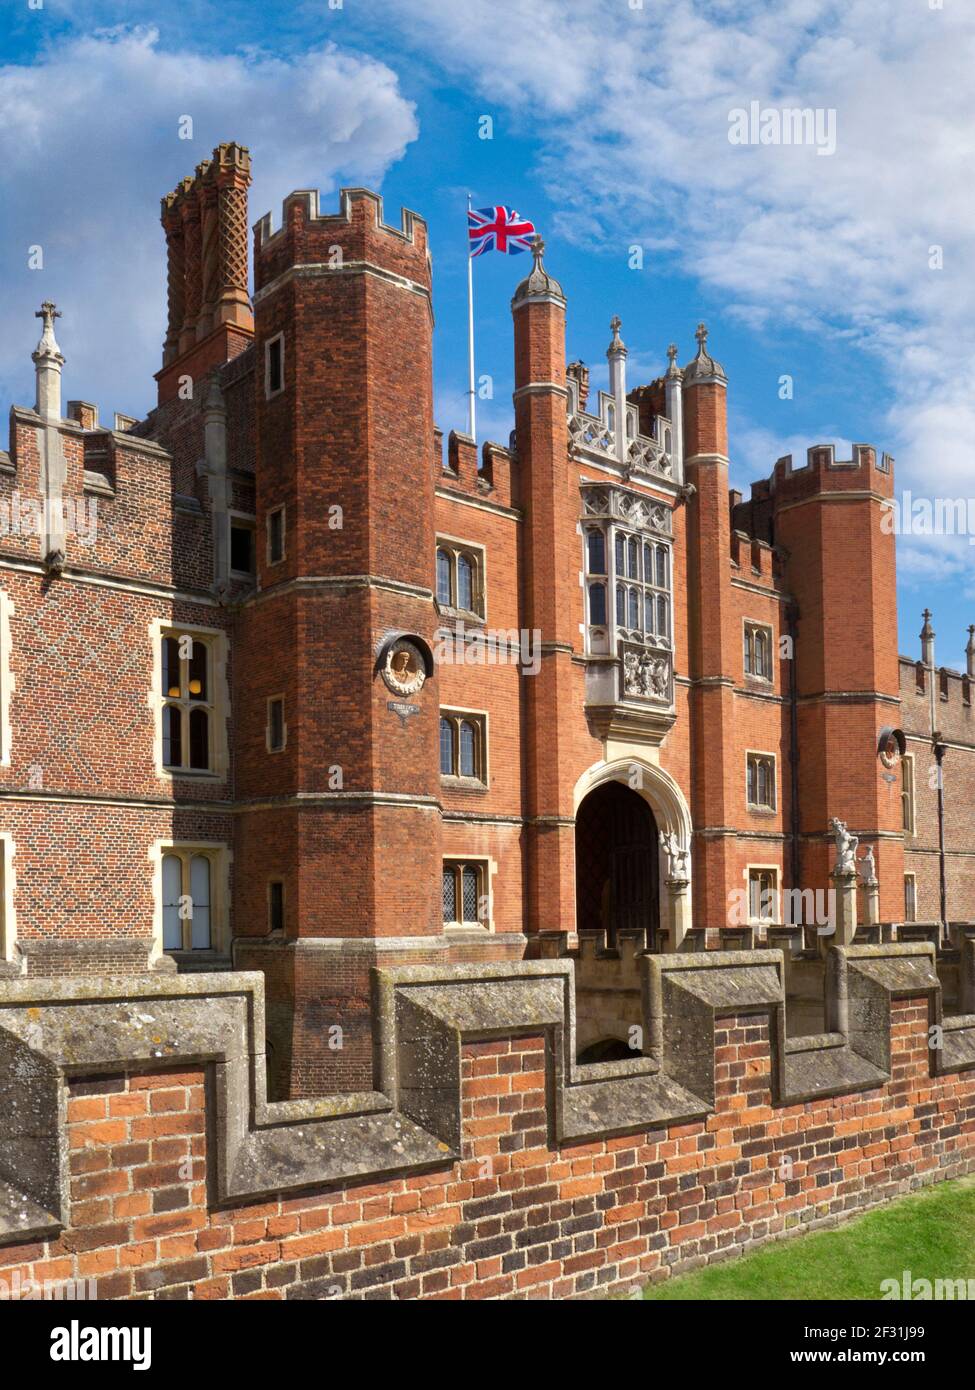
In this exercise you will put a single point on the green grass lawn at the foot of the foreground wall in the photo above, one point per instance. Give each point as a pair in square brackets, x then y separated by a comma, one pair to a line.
[931, 1234]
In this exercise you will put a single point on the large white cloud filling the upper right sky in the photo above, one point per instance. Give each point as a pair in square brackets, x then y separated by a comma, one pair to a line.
[634, 105]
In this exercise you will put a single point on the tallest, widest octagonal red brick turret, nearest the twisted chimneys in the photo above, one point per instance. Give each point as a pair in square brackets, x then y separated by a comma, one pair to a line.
[344, 426]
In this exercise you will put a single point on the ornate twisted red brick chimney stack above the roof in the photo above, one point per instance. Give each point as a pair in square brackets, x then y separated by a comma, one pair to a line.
[211, 319]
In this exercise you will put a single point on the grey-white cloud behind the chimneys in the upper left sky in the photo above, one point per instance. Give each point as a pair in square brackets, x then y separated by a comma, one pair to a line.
[90, 144]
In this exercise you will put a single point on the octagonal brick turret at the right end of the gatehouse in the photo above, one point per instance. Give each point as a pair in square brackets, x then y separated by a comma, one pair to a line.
[828, 516]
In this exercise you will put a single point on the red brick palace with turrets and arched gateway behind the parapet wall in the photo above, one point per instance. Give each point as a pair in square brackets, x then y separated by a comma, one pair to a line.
[286, 685]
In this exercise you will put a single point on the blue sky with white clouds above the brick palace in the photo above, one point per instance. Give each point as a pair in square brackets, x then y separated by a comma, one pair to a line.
[611, 126]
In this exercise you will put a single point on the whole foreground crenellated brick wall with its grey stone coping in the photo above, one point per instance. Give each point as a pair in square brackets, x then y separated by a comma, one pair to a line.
[137, 1146]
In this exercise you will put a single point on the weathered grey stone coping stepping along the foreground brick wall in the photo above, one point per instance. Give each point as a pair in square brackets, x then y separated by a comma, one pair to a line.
[52, 1032]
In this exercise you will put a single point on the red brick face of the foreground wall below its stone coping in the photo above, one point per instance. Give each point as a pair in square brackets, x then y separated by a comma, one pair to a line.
[514, 1217]
